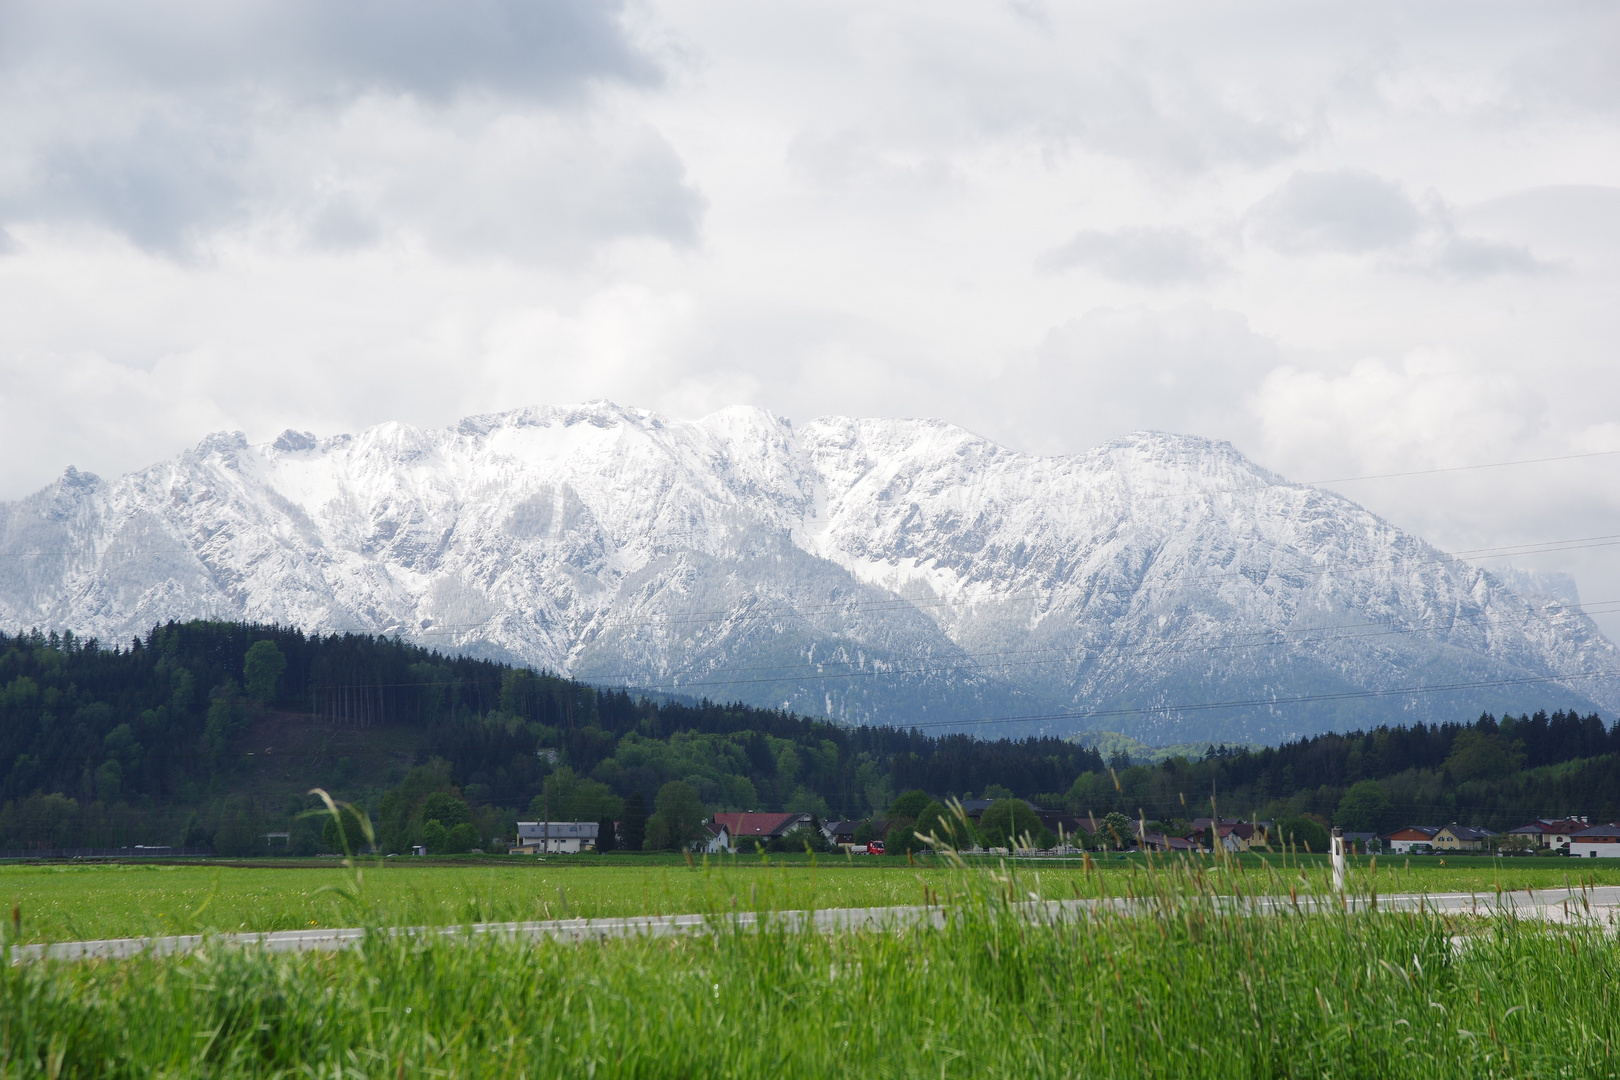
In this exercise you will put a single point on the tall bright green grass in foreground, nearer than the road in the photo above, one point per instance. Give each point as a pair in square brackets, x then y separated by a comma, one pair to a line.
[1180, 993]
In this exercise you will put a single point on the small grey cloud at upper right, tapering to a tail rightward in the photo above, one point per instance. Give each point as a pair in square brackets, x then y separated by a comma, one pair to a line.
[1357, 213]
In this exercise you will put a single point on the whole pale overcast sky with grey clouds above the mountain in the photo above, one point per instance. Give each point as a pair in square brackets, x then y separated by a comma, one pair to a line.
[1352, 239]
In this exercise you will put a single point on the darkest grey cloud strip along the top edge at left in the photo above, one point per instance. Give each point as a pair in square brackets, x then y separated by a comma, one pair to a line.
[547, 48]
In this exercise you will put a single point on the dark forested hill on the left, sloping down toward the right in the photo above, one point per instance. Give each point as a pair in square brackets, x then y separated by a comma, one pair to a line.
[166, 739]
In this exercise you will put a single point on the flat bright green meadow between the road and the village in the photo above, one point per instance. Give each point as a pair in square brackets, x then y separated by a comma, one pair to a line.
[66, 903]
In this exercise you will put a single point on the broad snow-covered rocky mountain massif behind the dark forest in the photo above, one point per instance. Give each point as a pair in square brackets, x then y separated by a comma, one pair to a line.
[892, 571]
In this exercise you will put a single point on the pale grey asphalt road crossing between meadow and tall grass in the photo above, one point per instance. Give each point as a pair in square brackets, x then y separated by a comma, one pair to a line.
[1600, 906]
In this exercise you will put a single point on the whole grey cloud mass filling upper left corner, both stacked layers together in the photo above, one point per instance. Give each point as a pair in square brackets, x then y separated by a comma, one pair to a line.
[477, 125]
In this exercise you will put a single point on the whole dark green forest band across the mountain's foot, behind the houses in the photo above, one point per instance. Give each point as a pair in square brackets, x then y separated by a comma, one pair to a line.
[208, 736]
